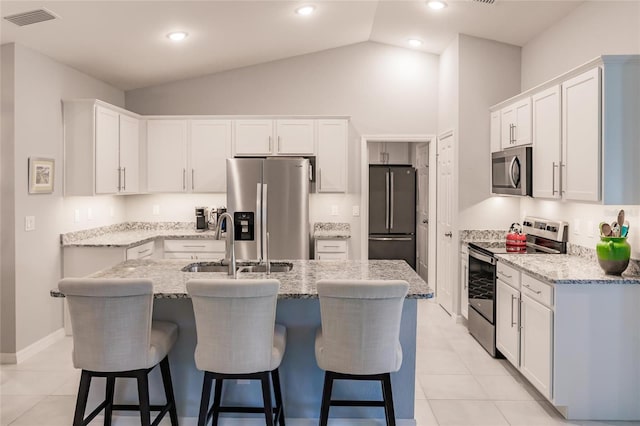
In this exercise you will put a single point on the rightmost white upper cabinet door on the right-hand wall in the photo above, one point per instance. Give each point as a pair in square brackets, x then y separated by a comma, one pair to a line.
[581, 137]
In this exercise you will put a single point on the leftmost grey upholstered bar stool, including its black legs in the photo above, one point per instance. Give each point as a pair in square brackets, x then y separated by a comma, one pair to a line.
[113, 337]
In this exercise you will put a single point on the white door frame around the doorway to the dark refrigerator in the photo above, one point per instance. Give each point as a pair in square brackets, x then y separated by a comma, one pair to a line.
[364, 192]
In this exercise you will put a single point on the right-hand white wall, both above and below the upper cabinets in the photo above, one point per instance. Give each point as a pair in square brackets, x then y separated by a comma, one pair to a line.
[592, 29]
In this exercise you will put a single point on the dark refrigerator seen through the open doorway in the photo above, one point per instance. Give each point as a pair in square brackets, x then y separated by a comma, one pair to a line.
[392, 213]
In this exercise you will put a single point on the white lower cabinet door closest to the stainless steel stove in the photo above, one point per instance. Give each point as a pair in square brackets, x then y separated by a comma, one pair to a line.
[507, 322]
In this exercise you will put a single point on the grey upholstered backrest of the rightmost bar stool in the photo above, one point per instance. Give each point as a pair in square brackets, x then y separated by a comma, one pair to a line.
[361, 324]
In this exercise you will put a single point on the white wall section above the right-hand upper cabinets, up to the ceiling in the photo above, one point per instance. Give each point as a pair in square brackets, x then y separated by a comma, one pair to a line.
[592, 29]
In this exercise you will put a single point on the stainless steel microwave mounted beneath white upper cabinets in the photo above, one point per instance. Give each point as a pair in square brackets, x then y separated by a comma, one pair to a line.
[511, 171]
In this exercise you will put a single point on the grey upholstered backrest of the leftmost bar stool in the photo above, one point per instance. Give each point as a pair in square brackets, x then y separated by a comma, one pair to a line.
[111, 321]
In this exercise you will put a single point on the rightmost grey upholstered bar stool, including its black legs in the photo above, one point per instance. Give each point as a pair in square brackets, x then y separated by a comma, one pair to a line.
[359, 338]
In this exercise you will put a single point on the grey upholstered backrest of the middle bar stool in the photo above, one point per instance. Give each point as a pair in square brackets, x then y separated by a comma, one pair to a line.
[235, 322]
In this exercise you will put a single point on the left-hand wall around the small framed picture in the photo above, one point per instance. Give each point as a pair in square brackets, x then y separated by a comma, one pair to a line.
[39, 85]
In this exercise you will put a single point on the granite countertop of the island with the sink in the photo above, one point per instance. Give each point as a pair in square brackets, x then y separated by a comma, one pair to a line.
[299, 283]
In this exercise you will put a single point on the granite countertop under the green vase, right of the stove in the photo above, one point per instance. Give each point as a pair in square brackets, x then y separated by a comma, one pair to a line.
[565, 269]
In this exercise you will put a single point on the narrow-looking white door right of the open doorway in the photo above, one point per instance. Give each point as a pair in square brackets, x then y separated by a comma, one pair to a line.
[445, 254]
